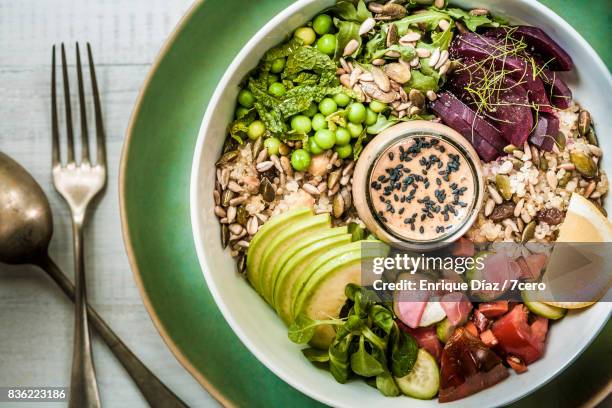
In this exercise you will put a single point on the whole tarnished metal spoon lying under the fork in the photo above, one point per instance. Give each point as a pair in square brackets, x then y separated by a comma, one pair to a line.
[26, 227]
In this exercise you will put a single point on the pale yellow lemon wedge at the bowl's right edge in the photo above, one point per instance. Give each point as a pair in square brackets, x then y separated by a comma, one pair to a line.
[584, 222]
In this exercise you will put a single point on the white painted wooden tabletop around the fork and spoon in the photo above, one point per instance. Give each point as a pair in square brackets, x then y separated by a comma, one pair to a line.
[36, 321]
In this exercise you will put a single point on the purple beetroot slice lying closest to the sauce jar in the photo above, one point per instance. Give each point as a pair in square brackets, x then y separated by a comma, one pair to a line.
[485, 138]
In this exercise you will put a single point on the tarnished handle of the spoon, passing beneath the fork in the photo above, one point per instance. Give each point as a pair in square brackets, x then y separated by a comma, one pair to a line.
[154, 391]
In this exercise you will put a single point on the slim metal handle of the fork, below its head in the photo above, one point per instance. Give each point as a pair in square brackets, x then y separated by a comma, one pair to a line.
[83, 385]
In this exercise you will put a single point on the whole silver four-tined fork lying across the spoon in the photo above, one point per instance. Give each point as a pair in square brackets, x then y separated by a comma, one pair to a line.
[78, 183]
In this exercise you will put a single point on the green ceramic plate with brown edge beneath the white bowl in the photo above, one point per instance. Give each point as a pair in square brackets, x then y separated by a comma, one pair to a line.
[154, 191]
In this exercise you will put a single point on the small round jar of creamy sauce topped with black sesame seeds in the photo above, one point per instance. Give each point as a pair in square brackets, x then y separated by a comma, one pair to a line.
[418, 185]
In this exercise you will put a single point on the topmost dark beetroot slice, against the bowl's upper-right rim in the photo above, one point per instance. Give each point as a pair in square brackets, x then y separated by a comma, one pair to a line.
[540, 45]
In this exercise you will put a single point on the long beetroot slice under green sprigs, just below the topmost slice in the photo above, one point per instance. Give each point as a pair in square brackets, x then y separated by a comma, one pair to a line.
[489, 54]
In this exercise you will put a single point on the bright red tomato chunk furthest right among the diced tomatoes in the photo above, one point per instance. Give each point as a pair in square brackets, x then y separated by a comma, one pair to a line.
[517, 337]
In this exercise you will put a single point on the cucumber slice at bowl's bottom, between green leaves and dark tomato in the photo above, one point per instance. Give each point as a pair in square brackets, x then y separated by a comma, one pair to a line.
[423, 382]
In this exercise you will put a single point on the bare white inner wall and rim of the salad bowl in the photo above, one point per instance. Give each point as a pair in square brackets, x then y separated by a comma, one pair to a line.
[256, 323]
